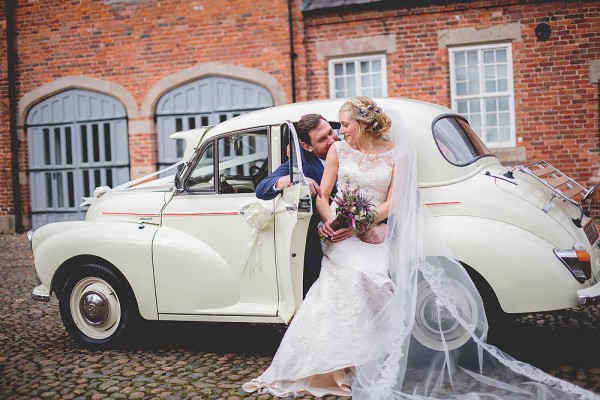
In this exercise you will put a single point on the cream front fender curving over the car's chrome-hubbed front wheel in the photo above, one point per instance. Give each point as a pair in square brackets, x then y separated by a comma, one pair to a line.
[60, 247]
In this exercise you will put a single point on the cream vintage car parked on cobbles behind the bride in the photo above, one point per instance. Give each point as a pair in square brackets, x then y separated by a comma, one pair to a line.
[176, 247]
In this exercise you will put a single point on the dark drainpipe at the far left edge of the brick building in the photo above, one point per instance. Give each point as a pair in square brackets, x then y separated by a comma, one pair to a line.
[9, 7]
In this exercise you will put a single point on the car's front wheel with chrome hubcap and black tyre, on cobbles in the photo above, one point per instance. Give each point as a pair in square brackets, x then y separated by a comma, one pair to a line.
[96, 306]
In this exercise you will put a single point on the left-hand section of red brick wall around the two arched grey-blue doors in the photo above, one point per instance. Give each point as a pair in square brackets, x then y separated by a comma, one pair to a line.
[135, 44]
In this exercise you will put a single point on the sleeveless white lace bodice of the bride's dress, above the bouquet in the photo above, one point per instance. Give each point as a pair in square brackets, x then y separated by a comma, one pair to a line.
[370, 172]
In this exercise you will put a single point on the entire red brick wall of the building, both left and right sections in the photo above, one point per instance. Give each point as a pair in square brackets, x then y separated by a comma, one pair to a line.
[137, 43]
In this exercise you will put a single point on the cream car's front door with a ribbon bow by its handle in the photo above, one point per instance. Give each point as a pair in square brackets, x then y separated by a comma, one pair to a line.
[210, 263]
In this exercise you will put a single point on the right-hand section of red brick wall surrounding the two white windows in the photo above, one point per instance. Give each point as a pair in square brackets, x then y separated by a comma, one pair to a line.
[556, 106]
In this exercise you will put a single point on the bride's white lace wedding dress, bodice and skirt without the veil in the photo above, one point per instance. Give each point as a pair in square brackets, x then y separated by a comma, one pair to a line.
[326, 338]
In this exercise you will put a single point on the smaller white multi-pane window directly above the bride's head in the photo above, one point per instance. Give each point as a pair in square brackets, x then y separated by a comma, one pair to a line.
[364, 76]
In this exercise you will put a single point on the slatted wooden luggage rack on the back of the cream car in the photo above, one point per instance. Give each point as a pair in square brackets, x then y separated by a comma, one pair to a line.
[559, 183]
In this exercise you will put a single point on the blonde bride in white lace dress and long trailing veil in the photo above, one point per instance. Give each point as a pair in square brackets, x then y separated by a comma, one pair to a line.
[352, 334]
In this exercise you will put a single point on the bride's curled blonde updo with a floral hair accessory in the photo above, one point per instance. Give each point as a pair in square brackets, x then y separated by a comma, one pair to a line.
[372, 121]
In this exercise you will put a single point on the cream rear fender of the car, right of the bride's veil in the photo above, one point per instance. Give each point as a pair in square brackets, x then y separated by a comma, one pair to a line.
[520, 267]
